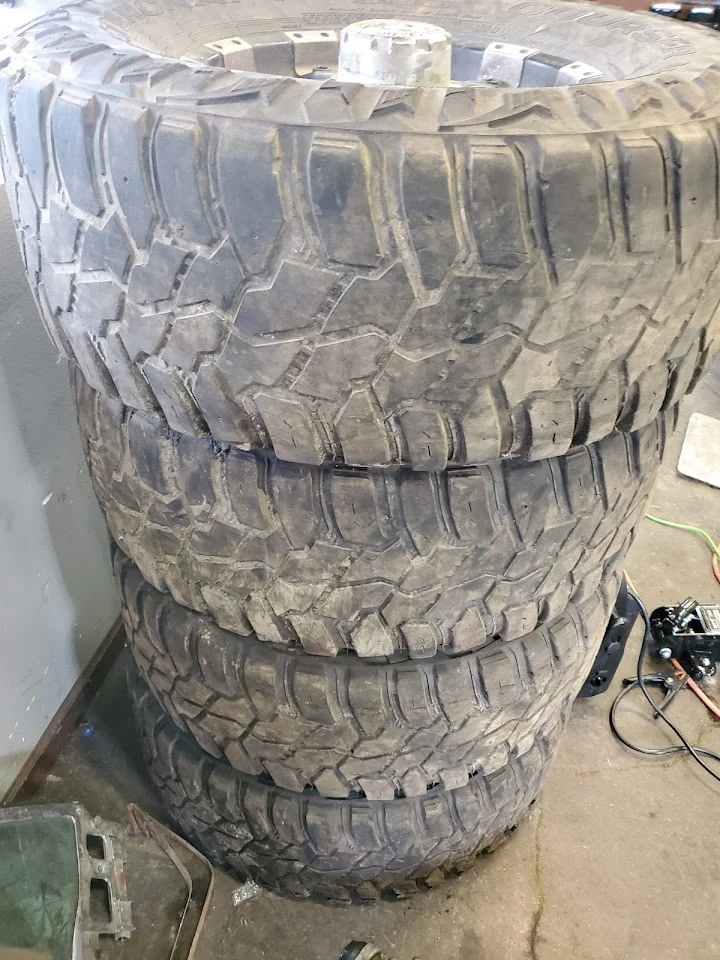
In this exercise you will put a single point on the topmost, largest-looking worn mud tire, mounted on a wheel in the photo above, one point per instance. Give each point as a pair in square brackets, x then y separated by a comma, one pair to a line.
[369, 276]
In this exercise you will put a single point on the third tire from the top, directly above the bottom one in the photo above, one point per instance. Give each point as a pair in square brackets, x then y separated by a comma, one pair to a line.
[345, 727]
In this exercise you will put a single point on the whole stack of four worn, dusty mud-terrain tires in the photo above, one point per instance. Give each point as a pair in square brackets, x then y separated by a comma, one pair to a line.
[373, 386]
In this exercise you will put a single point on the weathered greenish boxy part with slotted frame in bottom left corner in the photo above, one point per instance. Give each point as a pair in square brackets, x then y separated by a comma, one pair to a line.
[68, 879]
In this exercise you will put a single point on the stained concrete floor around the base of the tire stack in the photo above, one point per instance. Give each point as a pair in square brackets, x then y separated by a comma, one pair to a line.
[620, 857]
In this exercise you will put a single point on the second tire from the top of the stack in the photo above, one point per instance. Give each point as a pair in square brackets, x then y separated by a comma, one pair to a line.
[388, 564]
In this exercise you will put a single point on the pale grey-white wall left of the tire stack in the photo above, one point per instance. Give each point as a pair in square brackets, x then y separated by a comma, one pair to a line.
[57, 597]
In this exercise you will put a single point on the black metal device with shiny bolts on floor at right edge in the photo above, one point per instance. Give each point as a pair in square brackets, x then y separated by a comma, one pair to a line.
[690, 634]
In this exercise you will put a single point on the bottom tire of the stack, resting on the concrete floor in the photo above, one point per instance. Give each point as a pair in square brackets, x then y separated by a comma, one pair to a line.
[301, 844]
